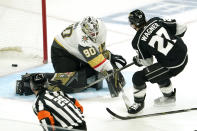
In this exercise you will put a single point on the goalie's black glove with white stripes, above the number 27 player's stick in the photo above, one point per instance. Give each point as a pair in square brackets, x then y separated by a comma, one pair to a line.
[118, 59]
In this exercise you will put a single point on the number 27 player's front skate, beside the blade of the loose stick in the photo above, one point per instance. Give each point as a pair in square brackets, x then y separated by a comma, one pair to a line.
[135, 108]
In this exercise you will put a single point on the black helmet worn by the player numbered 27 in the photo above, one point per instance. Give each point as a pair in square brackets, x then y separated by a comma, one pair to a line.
[137, 18]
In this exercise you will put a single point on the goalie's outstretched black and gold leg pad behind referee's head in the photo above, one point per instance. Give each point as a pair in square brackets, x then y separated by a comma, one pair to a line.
[70, 82]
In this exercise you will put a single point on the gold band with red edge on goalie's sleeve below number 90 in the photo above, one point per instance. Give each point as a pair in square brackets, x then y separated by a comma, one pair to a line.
[97, 61]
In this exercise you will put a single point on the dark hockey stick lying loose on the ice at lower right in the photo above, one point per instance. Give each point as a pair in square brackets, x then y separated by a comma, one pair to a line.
[148, 115]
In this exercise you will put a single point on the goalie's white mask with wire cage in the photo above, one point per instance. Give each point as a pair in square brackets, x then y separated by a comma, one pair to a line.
[90, 27]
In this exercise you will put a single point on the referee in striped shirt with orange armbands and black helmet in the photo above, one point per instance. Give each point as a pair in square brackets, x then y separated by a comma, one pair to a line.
[56, 111]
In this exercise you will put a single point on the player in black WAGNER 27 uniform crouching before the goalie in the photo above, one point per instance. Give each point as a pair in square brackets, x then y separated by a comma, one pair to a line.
[159, 39]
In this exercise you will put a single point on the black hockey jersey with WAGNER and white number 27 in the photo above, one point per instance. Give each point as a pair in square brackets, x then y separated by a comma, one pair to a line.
[161, 39]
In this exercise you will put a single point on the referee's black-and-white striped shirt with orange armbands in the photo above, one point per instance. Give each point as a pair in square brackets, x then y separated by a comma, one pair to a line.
[57, 109]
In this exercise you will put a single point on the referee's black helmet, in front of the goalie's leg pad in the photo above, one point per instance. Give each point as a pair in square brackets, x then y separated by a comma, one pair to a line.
[38, 82]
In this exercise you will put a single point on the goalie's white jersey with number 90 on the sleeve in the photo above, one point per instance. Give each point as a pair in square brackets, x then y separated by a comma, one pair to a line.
[79, 44]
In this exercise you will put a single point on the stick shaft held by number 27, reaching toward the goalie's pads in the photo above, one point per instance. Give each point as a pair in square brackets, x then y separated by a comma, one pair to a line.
[97, 81]
